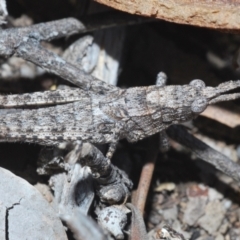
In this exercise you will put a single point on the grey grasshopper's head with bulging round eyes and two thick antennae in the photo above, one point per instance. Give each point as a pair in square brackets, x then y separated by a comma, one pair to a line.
[183, 103]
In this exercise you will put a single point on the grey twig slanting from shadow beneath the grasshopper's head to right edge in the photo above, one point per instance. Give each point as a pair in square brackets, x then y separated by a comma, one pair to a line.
[204, 152]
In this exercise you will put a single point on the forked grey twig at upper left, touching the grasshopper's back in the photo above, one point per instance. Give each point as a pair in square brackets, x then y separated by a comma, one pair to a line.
[24, 42]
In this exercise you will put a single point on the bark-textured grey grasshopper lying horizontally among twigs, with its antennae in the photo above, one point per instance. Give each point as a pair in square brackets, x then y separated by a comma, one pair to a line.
[133, 113]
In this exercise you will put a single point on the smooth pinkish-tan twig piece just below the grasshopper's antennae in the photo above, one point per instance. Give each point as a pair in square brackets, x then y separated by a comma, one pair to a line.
[222, 115]
